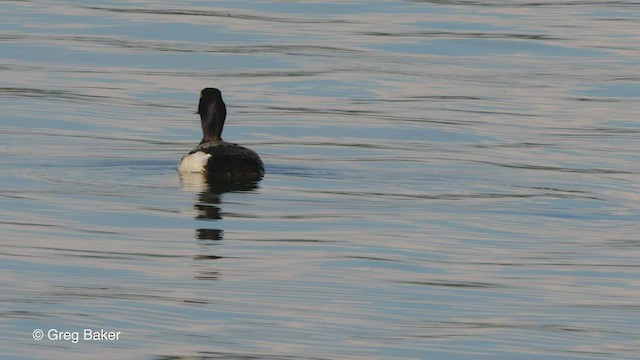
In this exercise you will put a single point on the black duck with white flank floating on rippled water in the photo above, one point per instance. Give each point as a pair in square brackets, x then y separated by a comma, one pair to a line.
[214, 157]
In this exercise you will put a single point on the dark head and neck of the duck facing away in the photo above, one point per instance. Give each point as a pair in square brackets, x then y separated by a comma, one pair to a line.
[212, 114]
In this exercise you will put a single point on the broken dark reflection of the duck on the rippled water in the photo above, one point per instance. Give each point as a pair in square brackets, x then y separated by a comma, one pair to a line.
[209, 208]
